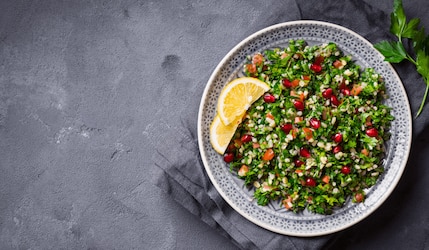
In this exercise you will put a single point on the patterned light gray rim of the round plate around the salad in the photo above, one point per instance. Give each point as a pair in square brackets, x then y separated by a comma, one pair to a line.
[273, 217]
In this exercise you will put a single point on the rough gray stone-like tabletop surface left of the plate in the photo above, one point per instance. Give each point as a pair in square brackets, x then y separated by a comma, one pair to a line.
[83, 87]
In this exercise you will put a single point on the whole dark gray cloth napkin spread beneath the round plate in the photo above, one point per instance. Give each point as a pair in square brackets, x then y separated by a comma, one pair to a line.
[176, 143]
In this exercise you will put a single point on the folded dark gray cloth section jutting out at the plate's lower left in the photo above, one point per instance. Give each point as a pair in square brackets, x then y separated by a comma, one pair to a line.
[186, 181]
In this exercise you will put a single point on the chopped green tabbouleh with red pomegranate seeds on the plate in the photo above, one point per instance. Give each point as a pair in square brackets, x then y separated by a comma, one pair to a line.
[315, 139]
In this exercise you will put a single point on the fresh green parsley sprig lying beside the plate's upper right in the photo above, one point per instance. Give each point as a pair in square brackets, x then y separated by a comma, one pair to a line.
[418, 51]
